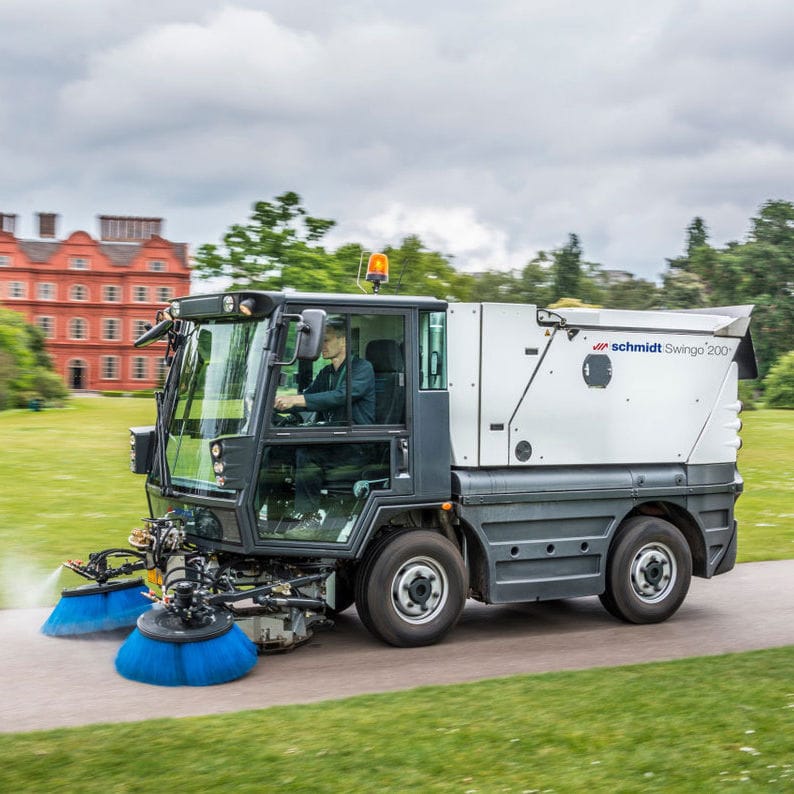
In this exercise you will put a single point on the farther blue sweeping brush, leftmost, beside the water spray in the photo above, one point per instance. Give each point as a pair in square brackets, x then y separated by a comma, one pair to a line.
[97, 607]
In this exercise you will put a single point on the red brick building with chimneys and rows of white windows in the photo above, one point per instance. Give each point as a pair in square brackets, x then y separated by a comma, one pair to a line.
[92, 298]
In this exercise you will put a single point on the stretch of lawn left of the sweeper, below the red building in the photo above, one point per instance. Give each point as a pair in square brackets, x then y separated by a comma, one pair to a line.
[68, 489]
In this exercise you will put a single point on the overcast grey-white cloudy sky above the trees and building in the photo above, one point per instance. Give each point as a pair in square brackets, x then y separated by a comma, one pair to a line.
[491, 129]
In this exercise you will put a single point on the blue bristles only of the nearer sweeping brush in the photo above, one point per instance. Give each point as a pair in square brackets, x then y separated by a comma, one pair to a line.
[201, 663]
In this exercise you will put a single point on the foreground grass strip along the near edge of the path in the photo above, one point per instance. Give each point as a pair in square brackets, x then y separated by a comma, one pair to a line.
[697, 725]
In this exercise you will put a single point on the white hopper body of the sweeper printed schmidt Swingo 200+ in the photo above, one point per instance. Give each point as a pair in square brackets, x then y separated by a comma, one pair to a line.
[670, 398]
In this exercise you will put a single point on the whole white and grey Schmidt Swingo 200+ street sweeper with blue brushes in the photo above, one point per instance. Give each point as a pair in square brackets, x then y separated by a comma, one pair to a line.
[312, 451]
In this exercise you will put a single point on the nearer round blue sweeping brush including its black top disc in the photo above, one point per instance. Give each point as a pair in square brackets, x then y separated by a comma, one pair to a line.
[164, 650]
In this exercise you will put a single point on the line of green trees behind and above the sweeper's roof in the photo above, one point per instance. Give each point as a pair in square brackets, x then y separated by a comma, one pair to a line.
[281, 247]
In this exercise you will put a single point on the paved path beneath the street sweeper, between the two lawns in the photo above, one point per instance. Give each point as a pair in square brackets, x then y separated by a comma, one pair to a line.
[52, 682]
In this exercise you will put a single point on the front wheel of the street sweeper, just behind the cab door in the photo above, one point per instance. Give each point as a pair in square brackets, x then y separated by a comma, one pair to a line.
[411, 588]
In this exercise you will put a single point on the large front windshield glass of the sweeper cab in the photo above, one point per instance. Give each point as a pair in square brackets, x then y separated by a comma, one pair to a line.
[217, 381]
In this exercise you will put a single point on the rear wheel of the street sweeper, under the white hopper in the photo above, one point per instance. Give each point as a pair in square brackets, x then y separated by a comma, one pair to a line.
[648, 571]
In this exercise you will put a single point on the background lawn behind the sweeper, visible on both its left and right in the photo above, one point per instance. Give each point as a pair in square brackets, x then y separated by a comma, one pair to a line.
[69, 491]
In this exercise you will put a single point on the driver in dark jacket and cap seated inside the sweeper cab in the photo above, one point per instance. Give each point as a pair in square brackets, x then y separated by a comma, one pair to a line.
[327, 395]
